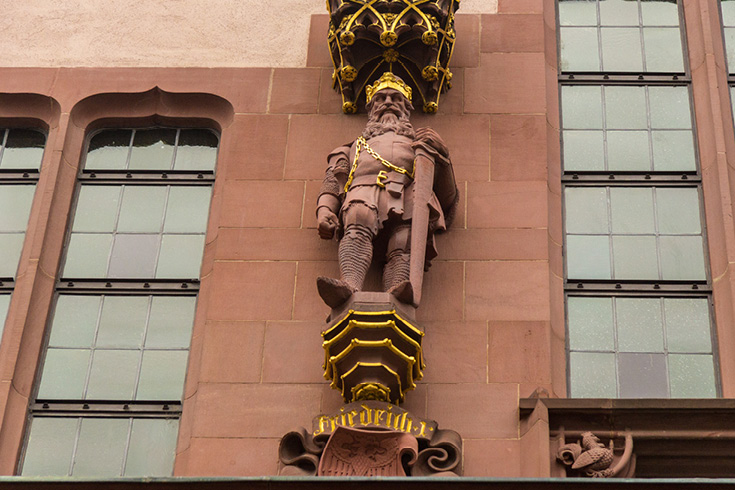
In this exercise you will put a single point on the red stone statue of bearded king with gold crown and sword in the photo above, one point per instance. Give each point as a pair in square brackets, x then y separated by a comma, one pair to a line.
[385, 195]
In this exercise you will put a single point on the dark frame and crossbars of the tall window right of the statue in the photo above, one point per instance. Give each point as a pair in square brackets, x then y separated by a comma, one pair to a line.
[602, 179]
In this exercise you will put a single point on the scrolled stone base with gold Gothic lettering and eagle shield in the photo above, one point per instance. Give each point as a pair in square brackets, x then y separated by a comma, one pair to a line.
[371, 439]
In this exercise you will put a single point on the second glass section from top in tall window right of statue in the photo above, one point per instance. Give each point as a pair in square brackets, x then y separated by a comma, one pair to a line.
[627, 128]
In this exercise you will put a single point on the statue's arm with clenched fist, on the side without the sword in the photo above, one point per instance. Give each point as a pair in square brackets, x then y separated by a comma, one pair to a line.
[332, 192]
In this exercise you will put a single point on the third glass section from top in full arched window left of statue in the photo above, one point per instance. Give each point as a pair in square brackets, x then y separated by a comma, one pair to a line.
[108, 347]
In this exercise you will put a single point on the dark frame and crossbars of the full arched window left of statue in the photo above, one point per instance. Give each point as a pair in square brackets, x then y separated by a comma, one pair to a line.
[123, 287]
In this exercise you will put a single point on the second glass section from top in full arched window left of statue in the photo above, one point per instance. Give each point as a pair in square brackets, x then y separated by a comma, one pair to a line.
[138, 232]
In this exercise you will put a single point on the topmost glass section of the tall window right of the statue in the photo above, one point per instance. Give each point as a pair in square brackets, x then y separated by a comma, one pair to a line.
[620, 36]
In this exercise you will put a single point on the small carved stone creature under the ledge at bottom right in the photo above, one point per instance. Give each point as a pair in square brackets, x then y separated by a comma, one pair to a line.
[590, 458]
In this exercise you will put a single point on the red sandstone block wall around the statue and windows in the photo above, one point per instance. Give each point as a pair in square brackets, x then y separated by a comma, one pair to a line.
[493, 309]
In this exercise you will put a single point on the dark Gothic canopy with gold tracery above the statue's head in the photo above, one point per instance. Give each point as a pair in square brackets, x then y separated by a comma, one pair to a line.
[412, 38]
